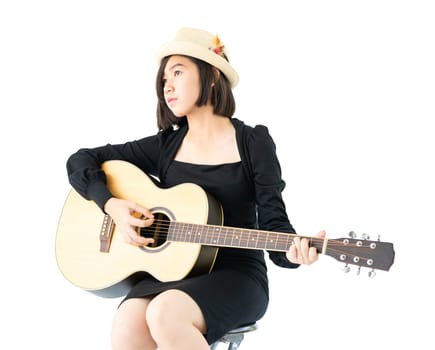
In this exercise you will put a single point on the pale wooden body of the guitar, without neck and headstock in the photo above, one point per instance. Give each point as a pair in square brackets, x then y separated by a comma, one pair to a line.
[110, 271]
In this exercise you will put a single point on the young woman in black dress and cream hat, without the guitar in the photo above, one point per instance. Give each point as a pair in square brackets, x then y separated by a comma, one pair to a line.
[198, 141]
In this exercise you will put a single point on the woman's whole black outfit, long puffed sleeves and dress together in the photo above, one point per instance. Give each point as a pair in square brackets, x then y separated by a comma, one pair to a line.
[250, 191]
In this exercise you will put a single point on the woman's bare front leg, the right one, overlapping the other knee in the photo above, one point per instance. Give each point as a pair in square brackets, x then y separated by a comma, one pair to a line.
[175, 321]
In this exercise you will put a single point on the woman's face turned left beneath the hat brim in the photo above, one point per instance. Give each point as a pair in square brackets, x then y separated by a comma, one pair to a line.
[181, 85]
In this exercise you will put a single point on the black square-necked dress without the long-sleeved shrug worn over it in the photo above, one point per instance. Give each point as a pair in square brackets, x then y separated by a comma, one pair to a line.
[236, 291]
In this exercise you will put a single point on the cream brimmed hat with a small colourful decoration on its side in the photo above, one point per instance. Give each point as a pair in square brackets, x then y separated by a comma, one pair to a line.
[202, 45]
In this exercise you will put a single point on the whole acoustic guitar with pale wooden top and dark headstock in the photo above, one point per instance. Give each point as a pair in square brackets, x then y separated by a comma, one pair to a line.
[187, 230]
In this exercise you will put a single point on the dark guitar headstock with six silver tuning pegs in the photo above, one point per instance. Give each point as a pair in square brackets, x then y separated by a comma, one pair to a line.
[375, 255]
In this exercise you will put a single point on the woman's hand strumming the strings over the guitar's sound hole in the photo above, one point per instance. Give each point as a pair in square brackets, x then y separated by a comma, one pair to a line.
[128, 216]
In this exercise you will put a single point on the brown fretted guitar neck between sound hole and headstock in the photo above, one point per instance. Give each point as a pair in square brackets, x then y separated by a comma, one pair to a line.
[222, 236]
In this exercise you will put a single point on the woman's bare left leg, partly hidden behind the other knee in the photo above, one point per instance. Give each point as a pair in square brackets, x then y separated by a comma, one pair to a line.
[130, 330]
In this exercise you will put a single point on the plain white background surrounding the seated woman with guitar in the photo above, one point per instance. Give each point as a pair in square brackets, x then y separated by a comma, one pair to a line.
[347, 90]
